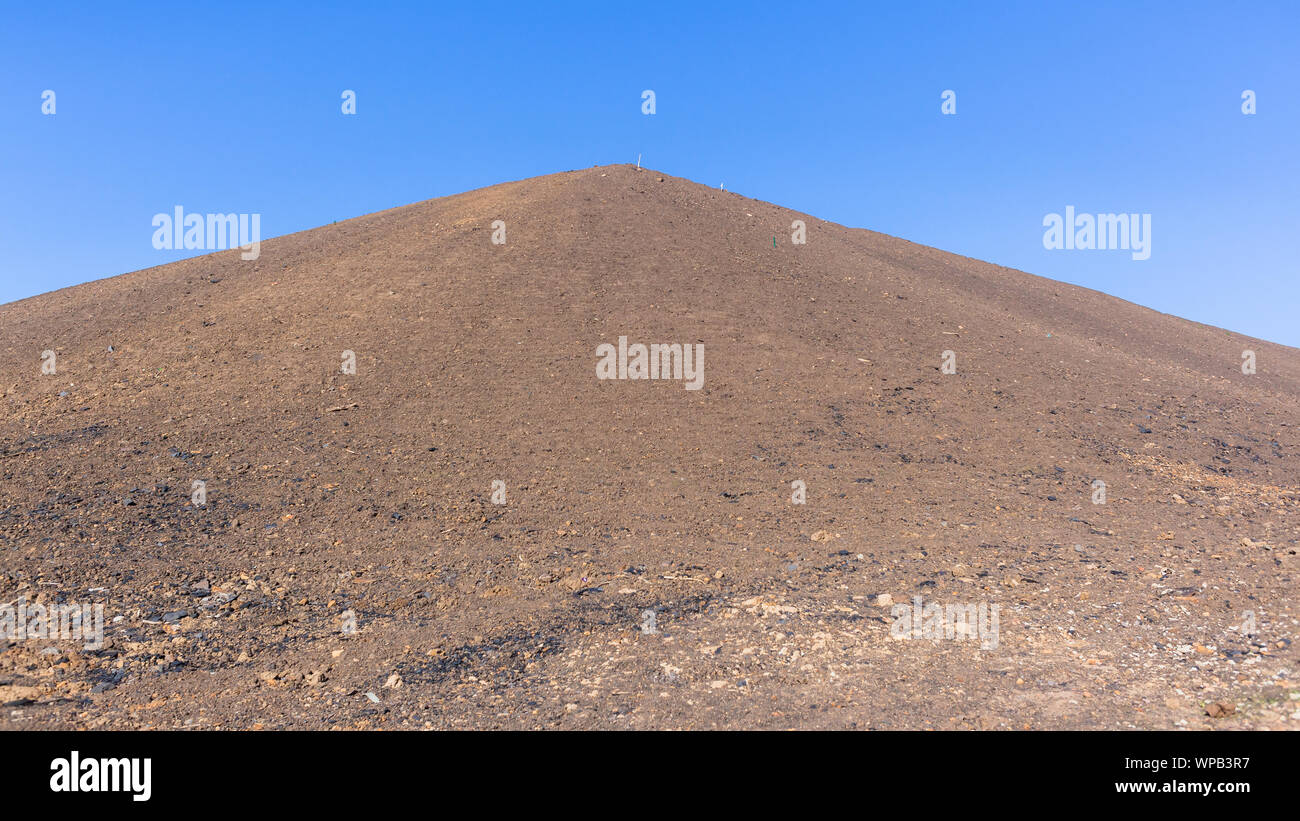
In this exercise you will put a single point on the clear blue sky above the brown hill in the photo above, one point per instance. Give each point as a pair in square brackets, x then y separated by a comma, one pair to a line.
[1108, 107]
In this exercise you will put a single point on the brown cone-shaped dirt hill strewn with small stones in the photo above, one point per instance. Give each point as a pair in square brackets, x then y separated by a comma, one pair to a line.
[335, 497]
